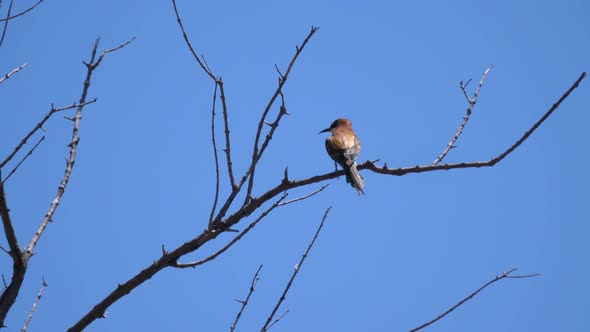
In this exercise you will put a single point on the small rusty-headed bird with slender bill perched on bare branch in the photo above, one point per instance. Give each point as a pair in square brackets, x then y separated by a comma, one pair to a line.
[344, 147]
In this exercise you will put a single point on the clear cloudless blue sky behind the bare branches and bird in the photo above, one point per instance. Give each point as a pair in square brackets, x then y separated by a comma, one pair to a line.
[388, 261]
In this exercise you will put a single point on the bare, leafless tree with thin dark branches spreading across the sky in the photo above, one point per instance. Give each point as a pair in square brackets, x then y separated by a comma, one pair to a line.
[228, 212]
